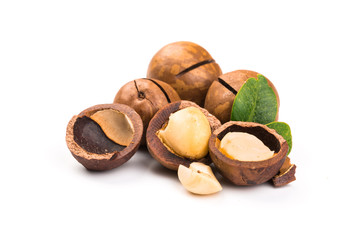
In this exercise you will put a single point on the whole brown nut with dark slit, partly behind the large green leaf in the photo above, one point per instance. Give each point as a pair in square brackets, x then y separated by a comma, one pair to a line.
[221, 94]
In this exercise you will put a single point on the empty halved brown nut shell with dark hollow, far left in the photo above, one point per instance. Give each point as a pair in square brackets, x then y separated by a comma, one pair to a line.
[89, 144]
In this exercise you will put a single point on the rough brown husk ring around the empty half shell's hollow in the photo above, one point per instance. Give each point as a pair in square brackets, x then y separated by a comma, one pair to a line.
[100, 162]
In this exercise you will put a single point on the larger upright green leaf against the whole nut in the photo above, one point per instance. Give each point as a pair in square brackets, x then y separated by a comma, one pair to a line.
[255, 102]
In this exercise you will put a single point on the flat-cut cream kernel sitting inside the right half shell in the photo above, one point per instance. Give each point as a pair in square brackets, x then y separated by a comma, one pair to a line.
[244, 147]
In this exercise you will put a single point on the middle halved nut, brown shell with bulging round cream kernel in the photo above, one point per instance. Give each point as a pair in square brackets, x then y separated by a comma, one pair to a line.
[179, 134]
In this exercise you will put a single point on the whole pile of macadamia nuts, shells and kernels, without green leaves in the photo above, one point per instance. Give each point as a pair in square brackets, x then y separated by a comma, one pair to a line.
[181, 111]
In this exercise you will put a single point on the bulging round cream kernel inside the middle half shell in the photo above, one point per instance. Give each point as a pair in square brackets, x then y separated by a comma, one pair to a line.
[187, 133]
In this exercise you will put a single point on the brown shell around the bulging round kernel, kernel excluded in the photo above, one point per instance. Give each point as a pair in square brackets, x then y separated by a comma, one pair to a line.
[158, 150]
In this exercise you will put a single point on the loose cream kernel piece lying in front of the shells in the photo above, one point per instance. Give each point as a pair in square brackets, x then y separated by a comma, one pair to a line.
[198, 179]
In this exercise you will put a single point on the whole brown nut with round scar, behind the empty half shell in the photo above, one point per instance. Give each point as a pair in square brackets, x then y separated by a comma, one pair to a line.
[146, 96]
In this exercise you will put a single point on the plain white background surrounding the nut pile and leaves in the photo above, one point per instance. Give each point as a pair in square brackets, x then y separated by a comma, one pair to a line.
[60, 57]
